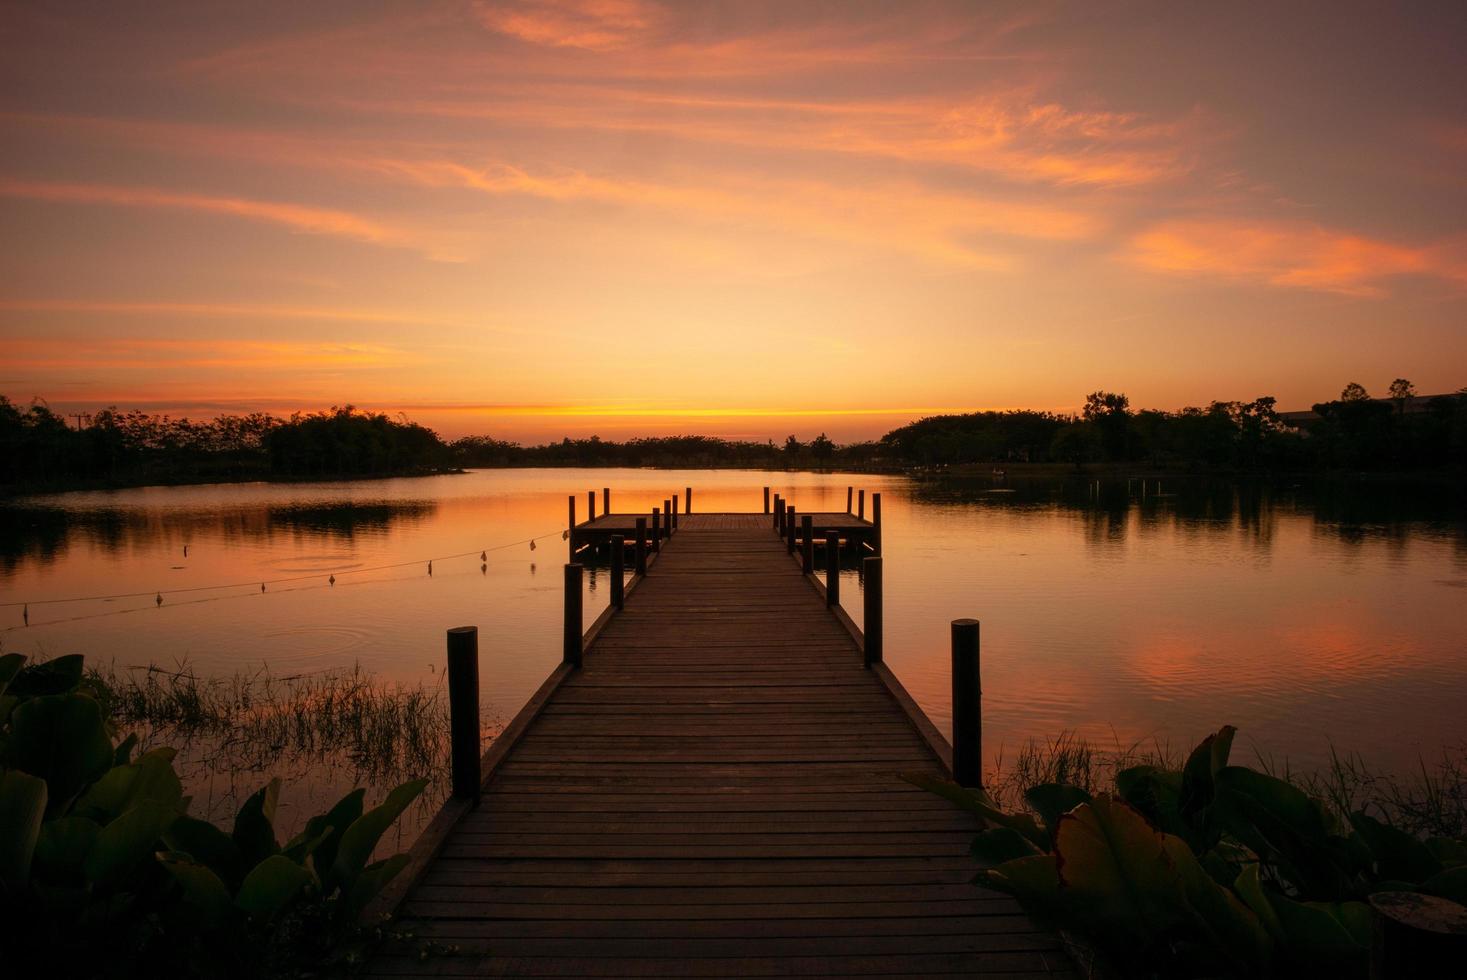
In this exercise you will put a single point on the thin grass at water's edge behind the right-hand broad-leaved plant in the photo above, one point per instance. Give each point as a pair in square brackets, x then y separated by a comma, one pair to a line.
[1428, 802]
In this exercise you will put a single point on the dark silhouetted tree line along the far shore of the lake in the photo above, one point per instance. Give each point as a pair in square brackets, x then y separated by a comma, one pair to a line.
[1355, 432]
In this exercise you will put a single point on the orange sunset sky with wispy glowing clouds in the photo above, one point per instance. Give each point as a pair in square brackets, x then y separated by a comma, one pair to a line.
[544, 219]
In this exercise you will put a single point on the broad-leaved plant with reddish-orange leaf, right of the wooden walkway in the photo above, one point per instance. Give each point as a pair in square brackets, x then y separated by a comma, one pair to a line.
[1211, 869]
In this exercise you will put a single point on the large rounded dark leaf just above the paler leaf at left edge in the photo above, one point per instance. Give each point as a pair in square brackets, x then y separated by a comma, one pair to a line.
[64, 740]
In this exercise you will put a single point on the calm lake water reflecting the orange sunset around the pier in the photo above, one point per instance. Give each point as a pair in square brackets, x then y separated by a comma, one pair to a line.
[1303, 618]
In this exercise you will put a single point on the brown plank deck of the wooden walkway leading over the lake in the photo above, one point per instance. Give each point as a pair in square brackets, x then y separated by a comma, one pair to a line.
[715, 793]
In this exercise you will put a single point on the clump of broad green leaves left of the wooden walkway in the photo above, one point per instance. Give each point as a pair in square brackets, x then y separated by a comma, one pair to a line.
[103, 871]
